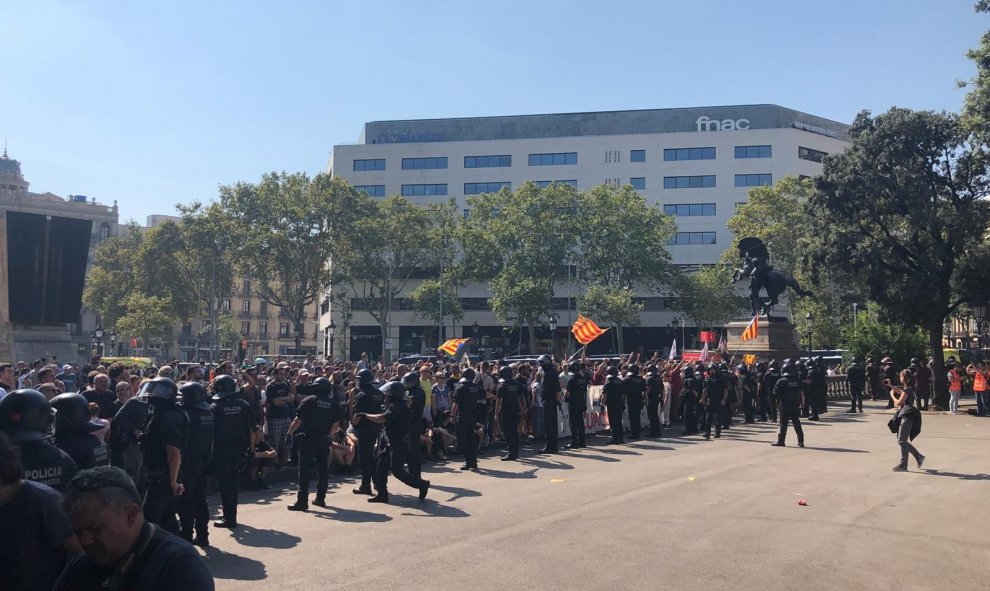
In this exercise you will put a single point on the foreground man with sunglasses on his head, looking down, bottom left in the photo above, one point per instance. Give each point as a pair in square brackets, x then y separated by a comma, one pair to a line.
[122, 550]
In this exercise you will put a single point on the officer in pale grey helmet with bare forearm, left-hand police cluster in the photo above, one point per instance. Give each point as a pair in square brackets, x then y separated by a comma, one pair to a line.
[162, 441]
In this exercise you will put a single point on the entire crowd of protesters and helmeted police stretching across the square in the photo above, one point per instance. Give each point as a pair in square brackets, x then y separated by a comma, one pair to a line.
[131, 453]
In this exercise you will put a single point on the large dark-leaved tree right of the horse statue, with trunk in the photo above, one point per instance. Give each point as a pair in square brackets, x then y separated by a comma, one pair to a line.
[901, 212]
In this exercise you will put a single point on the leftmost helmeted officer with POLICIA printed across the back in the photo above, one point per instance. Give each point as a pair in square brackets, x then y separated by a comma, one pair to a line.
[26, 417]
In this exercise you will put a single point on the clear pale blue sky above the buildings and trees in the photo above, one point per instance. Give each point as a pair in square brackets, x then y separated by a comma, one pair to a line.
[155, 103]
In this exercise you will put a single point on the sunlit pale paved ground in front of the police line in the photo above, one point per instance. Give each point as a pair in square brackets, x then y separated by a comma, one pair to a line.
[675, 513]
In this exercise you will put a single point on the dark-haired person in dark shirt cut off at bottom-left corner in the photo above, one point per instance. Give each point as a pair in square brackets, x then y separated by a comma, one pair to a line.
[37, 540]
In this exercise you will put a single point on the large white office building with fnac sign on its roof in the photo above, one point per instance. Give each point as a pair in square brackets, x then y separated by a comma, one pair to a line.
[698, 162]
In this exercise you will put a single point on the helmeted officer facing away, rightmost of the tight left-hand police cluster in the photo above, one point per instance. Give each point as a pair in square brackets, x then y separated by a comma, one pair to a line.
[233, 441]
